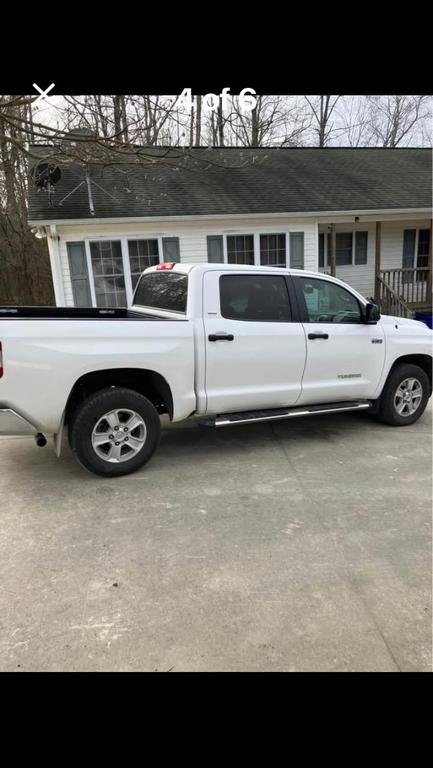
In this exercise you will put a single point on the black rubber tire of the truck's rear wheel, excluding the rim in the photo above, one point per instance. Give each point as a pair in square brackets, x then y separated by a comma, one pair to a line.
[90, 412]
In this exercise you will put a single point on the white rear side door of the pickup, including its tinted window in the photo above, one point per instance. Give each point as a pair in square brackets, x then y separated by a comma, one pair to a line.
[255, 350]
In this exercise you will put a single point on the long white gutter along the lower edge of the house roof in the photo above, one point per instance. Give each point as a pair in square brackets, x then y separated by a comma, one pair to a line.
[329, 215]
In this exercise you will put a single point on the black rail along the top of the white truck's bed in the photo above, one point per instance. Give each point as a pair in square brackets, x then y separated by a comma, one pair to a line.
[73, 313]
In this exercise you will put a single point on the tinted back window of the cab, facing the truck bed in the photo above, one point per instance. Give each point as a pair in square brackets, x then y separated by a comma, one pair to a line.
[162, 290]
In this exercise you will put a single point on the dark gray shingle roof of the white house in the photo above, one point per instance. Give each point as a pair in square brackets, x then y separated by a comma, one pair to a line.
[204, 181]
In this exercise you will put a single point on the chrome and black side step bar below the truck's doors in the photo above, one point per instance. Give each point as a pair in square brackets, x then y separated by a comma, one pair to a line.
[250, 417]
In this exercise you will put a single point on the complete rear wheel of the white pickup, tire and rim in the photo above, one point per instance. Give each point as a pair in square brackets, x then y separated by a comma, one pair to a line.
[114, 431]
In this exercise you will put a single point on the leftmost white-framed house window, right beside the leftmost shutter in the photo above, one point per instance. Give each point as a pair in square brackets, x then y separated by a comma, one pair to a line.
[108, 275]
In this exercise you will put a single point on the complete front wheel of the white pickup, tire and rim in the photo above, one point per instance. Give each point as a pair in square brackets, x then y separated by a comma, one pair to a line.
[405, 395]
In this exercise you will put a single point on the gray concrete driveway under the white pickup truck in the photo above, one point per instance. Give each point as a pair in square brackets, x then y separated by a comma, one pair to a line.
[301, 546]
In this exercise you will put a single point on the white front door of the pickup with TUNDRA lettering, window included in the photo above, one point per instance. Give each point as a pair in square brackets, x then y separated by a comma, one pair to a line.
[345, 356]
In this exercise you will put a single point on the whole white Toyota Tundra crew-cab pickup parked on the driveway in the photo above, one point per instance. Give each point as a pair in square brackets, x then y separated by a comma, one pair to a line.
[228, 343]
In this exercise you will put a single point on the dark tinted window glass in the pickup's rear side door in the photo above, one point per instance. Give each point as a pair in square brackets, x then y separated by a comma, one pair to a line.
[255, 297]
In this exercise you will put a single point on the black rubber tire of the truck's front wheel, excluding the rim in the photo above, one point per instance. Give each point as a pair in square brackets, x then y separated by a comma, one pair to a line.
[387, 409]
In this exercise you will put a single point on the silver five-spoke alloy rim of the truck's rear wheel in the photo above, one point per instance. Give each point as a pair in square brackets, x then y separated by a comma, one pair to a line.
[119, 435]
